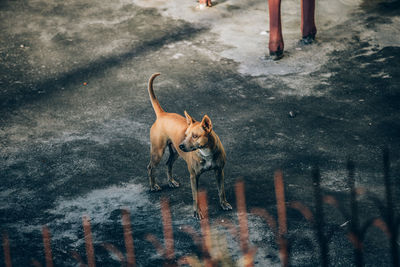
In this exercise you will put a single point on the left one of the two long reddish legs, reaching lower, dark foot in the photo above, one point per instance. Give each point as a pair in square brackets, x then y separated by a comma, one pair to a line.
[275, 28]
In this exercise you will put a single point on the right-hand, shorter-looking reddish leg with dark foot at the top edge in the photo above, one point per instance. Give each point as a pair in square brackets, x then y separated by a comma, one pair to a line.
[308, 28]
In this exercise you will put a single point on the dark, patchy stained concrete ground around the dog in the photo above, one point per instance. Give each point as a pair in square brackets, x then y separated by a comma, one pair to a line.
[75, 119]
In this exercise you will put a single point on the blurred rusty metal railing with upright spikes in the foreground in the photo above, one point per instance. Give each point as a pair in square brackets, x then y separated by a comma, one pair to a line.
[387, 221]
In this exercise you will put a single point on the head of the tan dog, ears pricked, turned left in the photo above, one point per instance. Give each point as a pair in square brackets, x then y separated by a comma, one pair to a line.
[197, 133]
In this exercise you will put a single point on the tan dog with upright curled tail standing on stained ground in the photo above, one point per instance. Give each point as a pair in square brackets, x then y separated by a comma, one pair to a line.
[194, 141]
